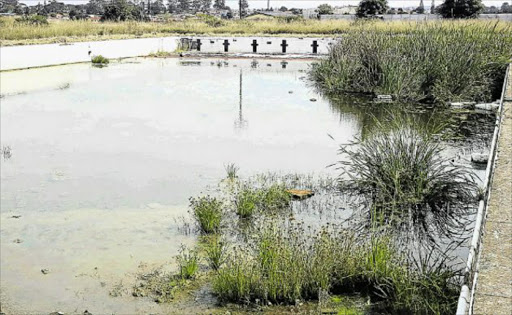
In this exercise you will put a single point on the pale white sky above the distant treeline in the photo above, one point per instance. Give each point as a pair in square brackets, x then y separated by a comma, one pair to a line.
[257, 4]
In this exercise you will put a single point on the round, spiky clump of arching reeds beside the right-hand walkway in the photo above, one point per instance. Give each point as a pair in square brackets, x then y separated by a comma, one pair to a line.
[405, 184]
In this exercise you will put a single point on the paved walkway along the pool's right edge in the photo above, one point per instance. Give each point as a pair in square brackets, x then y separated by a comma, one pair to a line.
[493, 294]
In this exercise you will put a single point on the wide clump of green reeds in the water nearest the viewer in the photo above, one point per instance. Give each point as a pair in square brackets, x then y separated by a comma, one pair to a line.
[283, 266]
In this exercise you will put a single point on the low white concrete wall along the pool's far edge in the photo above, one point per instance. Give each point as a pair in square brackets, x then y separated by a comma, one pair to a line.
[30, 56]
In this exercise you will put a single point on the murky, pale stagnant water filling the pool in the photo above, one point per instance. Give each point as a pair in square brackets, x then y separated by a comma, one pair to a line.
[99, 164]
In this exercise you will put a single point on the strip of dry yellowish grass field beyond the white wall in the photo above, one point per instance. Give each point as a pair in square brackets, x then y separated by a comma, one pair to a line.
[82, 30]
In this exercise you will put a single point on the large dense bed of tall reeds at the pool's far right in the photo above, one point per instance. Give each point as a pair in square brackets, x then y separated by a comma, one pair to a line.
[430, 62]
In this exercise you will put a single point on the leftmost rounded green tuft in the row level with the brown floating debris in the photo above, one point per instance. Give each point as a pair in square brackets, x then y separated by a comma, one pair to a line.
[208, 213]
